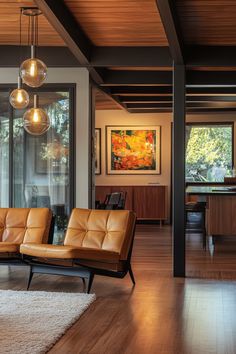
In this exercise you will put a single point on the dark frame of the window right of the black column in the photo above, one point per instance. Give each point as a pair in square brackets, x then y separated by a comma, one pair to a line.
[230, 123]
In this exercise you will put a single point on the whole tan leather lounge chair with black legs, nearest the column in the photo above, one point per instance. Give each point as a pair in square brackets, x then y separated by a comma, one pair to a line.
[96, 242]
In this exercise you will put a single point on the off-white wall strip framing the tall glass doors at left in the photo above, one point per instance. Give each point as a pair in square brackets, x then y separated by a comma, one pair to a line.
[80, 77]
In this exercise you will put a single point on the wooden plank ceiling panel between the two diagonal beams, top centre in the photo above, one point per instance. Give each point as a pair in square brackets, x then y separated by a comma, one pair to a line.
[119, 23]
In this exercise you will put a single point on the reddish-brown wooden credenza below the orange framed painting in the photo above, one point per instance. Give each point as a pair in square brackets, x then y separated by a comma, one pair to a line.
[148, 202]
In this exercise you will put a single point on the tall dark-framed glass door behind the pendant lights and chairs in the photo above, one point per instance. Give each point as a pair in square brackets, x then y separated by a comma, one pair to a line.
[38, 171]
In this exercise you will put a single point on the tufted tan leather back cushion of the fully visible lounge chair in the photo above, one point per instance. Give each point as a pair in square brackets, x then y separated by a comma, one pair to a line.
[110, 230]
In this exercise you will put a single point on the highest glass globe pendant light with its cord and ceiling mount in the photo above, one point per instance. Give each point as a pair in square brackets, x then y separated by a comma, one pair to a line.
[33, 71]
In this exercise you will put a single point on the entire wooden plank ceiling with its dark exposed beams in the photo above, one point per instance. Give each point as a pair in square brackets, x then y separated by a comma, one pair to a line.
[129, 46]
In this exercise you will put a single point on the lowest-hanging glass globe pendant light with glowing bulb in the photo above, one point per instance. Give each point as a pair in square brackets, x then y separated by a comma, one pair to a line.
[36, 120]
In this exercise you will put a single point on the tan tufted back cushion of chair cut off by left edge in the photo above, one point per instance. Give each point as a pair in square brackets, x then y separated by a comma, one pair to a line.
[20, 225]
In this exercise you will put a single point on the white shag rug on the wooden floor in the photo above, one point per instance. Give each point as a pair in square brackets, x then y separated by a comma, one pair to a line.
[31, 322]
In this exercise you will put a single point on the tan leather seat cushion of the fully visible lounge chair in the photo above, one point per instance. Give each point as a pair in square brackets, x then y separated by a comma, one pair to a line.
[68, 252]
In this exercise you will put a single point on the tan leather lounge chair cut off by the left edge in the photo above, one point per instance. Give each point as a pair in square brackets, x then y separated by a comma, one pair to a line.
[21, 225]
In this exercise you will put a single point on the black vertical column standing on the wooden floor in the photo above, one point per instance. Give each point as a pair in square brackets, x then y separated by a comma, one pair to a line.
[178, 178]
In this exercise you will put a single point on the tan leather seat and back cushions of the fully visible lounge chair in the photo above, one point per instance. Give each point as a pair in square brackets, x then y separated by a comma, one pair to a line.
[103, 236]
